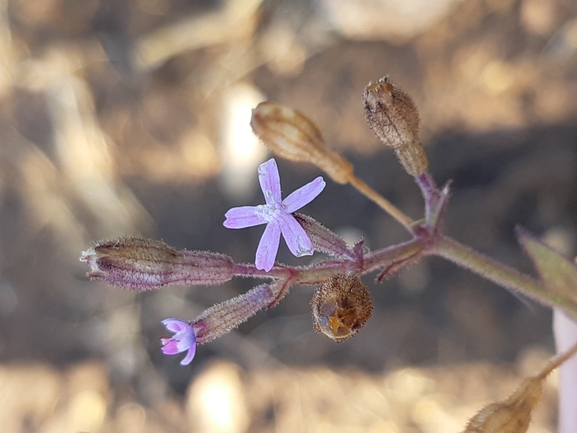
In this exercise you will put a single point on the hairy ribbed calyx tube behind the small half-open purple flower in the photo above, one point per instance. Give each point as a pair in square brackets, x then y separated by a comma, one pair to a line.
[224, 317]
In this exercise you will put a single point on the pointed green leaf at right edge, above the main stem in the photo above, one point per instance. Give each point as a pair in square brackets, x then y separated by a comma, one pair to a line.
[558, 274]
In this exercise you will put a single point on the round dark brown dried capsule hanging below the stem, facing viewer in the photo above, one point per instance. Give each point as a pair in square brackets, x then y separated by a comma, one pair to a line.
[341, 306]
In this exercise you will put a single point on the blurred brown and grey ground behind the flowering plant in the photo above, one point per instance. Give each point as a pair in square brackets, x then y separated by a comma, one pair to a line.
[131, 117]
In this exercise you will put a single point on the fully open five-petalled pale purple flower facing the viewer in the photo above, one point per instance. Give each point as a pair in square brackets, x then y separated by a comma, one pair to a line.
[277, 215]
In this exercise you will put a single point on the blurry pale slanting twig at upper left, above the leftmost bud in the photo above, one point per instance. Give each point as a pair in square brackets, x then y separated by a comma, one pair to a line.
[82, 149]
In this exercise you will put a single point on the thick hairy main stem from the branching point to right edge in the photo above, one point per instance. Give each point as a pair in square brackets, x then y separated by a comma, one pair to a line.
[497, 272]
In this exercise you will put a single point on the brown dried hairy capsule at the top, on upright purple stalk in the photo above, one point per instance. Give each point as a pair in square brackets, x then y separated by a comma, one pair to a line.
[394, 118]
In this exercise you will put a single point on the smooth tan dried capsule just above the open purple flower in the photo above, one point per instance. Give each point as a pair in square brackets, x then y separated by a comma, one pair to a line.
[293, 136]
